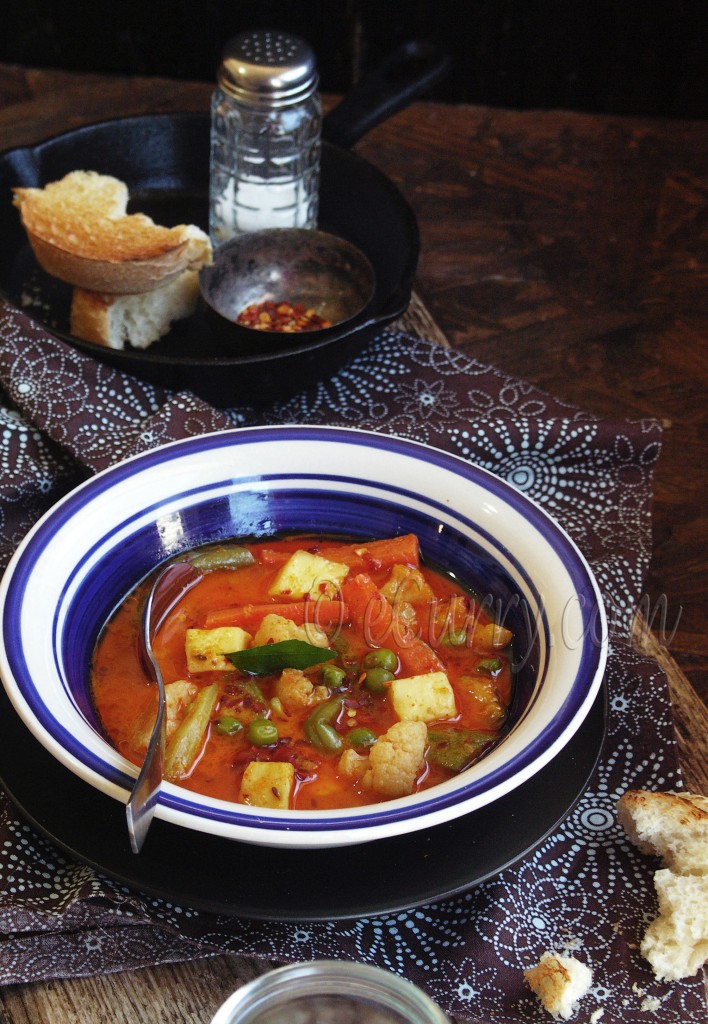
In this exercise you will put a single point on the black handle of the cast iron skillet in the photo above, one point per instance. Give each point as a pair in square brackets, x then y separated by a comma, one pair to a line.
[406, 74]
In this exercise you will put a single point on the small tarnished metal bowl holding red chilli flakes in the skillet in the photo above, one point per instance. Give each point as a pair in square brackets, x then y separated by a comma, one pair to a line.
[321, 271]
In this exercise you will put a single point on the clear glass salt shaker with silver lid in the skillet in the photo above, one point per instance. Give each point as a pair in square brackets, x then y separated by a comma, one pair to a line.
[266, 131]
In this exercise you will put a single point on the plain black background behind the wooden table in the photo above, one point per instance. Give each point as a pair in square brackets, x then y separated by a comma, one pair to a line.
[640, 58]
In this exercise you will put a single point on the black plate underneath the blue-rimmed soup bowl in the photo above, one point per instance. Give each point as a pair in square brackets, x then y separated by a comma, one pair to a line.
[271, 884]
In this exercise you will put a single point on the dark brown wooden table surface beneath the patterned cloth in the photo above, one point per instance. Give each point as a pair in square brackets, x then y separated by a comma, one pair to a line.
[565, 249]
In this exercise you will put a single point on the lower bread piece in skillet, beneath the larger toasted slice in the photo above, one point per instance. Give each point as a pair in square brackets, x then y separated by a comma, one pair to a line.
[117, 321]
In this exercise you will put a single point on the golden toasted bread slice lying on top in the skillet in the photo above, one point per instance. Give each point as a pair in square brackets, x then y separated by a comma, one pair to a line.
[80, 233]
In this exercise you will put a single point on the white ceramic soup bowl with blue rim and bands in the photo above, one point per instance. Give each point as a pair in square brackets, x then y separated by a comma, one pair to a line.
[100, 541]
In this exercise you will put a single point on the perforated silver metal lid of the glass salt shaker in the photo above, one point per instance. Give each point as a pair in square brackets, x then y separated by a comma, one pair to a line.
[270, 68]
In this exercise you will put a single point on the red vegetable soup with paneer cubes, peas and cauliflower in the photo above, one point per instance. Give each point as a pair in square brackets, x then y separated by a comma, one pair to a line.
[341, 734]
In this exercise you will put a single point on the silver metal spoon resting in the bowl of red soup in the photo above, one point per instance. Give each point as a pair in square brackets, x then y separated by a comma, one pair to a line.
[173, 583]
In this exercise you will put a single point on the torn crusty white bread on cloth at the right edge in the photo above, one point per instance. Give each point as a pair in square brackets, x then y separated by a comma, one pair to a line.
[674, 827]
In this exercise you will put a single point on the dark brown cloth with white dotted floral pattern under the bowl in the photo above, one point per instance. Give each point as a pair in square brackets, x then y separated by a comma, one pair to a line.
[65, 416]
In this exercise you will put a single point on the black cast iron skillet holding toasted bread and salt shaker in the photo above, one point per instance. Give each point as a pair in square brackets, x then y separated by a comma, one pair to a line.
[164, 160]
